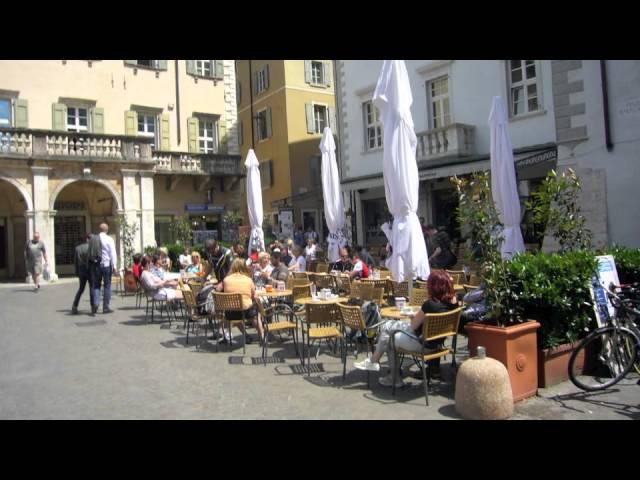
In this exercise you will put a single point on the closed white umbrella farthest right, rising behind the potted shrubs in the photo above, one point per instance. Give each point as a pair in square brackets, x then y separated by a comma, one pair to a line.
[503, 180]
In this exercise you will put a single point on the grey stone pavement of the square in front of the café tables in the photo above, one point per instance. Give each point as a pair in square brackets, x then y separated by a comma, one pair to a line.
[54, 365]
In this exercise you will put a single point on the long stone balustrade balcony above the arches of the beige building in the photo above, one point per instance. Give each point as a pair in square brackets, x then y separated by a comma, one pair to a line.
[55, 145]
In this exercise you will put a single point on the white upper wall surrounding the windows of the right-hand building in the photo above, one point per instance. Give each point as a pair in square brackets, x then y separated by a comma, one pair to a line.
[473, 83]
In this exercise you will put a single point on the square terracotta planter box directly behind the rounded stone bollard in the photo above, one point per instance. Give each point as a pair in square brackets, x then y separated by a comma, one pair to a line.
[516, 347]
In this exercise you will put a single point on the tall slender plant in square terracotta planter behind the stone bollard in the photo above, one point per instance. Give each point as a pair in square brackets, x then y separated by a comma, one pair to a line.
[505, 333]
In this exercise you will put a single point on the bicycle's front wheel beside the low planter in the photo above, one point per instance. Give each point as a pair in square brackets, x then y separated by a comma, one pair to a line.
[603, 358]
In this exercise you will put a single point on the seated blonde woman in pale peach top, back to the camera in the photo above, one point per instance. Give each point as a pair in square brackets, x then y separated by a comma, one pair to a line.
[239, 281]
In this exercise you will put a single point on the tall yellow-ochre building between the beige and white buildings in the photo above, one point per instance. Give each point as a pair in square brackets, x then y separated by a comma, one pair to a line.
[283, 107]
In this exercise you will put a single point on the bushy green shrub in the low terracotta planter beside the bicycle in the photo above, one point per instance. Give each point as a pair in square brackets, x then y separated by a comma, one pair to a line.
[560, 297]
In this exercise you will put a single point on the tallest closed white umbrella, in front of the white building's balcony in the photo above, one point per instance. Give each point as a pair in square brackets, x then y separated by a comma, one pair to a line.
[401, 180]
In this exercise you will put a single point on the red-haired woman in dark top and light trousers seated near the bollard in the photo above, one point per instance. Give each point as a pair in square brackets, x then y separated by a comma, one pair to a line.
[442, 298]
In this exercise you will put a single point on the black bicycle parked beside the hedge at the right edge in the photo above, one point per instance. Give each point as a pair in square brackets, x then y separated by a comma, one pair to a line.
[606, 355]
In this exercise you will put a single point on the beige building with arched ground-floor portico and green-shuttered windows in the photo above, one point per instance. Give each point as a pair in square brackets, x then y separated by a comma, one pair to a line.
[83, 141]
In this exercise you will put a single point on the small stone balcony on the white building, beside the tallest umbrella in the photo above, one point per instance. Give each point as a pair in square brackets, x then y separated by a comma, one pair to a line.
[441, 145]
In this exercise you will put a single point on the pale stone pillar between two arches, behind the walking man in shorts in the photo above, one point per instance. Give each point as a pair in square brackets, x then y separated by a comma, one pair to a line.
[43, 215]
